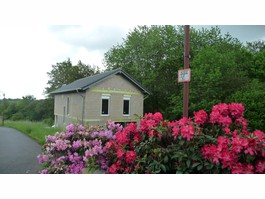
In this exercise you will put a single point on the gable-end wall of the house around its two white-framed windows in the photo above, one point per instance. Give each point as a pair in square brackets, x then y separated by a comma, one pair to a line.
[116, 87]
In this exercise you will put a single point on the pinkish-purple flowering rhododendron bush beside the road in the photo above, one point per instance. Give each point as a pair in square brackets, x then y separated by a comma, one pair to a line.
[77, 148]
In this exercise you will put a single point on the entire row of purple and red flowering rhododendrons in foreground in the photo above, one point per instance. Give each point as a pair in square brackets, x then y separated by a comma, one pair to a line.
[218, 142]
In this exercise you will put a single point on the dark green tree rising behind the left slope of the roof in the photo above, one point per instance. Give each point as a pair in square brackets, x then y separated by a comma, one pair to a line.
[65, 73]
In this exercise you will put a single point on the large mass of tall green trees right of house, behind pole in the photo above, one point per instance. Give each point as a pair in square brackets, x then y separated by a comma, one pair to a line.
[222, 69]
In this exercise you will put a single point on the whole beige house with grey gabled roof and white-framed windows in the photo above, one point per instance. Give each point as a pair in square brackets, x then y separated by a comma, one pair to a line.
[112, 95]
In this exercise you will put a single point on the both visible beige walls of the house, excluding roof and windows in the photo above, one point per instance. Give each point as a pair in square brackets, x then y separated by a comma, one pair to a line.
[116, 87]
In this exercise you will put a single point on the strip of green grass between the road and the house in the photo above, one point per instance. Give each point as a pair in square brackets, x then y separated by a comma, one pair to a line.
[35, 130]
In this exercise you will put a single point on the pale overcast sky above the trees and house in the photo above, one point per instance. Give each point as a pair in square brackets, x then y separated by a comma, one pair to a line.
[28, 52]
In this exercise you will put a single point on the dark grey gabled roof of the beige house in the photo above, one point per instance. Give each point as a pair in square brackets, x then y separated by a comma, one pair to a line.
[88, 82]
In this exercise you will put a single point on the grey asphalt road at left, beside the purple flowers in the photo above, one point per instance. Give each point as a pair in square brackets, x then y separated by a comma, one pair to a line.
[18, 153]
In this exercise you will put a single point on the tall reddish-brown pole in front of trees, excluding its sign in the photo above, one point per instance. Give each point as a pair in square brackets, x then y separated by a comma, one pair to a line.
[186, 66]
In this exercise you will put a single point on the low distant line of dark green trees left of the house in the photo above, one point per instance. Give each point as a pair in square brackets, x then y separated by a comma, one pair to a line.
[28, 108]
